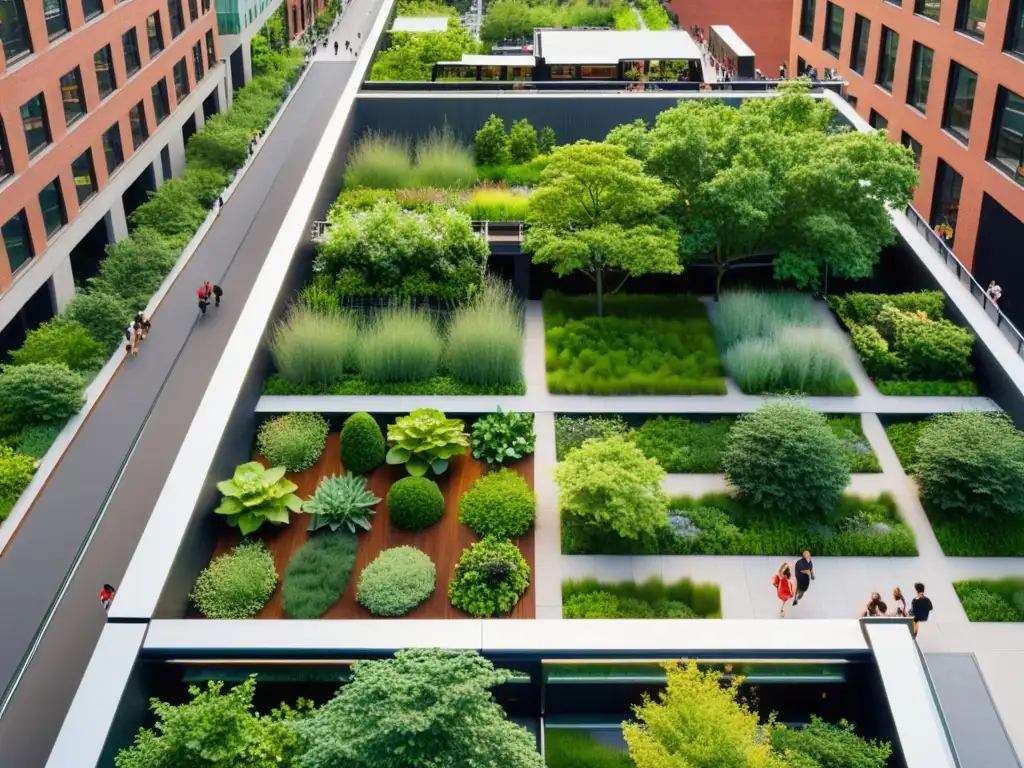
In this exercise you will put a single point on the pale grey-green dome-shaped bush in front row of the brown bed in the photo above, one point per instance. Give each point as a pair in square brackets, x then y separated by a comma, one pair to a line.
[397, 582]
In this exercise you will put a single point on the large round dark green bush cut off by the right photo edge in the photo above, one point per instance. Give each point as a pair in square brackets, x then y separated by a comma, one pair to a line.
[972, 464]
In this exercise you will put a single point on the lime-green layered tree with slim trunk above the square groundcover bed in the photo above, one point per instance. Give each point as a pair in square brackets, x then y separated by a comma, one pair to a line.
[590, 215]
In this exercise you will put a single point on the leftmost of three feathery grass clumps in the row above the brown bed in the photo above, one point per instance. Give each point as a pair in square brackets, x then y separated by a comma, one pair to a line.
[314, 348]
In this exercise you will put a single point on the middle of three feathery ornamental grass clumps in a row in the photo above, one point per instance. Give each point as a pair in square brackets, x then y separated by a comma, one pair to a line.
[400, 345]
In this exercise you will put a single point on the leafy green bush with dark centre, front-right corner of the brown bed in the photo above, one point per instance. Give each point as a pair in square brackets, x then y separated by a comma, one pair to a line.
[490, 578]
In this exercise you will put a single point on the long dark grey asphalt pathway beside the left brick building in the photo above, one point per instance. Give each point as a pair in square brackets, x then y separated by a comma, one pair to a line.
[126, 448]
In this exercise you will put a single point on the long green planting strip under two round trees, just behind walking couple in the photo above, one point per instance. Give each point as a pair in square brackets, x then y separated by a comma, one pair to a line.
[721, 525]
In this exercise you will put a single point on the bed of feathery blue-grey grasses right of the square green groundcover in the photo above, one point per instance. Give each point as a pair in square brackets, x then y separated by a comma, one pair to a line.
[774, 343]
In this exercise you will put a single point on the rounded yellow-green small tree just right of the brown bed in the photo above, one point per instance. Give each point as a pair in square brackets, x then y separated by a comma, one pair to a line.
[612, 485]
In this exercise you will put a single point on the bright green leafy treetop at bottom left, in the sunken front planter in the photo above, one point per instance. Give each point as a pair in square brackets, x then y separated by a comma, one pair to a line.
[216, 730]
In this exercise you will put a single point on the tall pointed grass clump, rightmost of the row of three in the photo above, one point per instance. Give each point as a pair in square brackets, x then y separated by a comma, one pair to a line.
[485, 338]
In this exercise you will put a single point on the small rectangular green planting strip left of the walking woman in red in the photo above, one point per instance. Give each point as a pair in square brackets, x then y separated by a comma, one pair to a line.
[589, 599]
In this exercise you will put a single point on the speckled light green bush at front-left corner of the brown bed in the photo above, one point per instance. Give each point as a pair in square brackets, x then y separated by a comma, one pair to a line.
[238, 584]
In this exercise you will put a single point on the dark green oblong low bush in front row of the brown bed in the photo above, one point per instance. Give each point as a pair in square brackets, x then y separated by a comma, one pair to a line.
[318, 575]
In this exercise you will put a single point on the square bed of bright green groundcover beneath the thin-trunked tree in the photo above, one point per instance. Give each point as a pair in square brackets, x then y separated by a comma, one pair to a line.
[644, 346]
